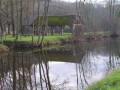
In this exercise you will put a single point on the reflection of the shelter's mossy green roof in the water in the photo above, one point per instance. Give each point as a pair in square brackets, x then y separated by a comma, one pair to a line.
[61, 56]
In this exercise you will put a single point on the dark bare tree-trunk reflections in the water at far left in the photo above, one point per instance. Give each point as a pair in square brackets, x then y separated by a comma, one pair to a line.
[18, 72]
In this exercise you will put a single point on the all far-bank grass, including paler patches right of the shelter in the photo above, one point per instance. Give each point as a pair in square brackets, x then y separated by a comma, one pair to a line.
[49, 38]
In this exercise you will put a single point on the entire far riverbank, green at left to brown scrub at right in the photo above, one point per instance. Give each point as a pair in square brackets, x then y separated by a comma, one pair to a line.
[26, 41]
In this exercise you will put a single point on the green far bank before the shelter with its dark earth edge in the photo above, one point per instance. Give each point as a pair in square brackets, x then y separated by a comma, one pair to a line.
[26, 41]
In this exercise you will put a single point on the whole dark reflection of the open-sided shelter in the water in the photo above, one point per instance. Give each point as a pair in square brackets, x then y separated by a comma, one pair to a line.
[63, 54]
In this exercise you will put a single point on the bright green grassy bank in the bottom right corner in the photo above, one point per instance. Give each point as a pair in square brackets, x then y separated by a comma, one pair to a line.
[110, 82]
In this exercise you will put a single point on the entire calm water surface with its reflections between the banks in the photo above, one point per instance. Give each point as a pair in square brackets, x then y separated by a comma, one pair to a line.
[73, 67]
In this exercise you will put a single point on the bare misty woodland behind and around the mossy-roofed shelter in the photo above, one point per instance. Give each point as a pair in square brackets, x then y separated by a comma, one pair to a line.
[97, 17]
